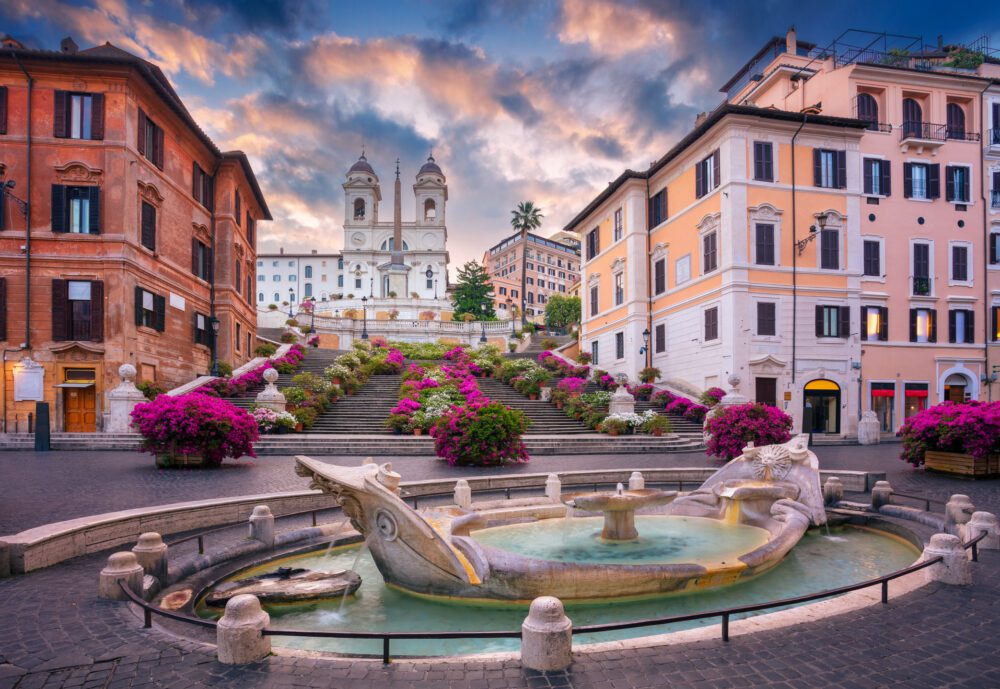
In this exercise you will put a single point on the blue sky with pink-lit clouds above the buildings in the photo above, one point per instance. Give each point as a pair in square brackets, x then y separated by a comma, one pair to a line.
[542, 100]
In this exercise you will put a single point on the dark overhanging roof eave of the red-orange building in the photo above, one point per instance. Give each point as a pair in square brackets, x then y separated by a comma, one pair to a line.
[109, 54]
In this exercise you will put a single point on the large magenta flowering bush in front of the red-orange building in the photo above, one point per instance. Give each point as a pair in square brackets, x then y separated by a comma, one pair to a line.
[195, 424]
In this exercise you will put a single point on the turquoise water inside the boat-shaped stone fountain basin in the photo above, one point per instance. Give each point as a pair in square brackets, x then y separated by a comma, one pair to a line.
[662, 540]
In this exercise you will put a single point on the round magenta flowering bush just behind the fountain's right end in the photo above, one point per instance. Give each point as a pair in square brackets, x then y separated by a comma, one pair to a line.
[731, 428]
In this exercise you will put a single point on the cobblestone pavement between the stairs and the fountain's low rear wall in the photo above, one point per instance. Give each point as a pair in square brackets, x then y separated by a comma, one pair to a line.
[40, 488]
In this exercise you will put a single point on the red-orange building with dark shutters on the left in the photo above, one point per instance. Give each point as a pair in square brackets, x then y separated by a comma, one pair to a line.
[125, 232]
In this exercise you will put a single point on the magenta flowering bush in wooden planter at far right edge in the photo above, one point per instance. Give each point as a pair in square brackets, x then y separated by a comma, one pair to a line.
[972, 428]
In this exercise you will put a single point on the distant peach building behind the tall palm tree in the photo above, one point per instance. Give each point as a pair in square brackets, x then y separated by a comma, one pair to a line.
[551, 266]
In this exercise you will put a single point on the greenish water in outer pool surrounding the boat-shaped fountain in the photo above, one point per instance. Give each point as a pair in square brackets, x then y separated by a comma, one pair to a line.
[815, 564]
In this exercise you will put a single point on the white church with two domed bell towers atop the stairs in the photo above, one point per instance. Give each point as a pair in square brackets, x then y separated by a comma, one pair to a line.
[392, 258]
